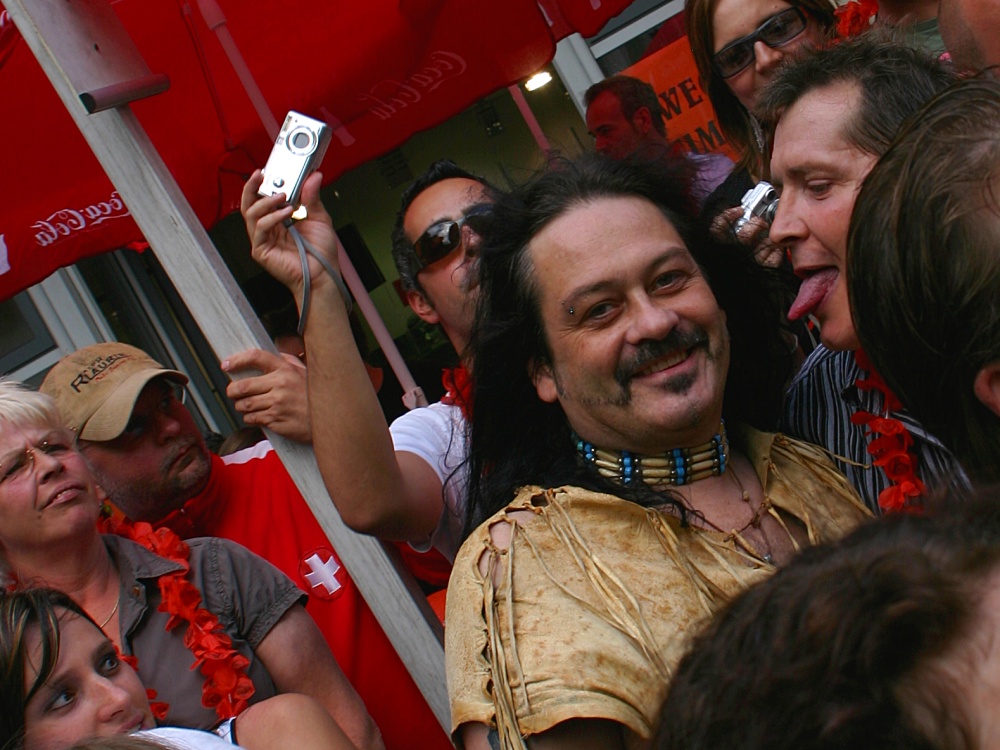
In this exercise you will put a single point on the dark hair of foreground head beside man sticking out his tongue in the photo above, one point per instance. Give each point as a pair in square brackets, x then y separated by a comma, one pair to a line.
[924, 269]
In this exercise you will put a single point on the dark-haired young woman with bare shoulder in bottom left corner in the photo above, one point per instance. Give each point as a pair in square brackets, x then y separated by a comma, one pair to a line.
[62, 682]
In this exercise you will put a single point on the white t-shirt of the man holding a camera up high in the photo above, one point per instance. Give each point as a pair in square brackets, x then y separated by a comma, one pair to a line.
[439, 435]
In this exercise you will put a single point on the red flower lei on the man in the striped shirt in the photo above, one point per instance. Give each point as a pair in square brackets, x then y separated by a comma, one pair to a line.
[891, 449]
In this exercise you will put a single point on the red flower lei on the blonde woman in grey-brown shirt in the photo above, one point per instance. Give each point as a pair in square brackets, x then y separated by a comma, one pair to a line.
[227, 687]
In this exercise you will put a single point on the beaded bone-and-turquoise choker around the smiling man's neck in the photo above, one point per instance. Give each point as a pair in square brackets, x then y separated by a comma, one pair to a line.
[676, 467]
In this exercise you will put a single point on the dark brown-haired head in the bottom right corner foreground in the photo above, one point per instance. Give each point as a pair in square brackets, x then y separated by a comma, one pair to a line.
[886, 640]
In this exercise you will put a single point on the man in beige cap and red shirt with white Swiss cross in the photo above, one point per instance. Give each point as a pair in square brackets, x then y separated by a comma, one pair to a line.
[147, 454]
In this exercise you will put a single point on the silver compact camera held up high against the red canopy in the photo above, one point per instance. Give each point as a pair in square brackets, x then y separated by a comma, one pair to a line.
[298, 151]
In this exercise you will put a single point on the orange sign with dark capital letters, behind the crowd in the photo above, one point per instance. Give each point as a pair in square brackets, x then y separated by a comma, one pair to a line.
[688, 112]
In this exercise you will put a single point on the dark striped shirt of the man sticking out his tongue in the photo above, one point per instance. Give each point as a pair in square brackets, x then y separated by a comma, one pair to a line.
[818, 409]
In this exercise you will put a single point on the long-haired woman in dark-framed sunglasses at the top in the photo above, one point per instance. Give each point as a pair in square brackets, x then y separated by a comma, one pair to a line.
[737, 45]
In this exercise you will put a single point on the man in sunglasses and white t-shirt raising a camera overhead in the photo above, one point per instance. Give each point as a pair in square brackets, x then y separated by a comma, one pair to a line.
[407, 482]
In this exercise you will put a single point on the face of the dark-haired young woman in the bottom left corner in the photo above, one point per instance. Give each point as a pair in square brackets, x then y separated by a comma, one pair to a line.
[90, 693]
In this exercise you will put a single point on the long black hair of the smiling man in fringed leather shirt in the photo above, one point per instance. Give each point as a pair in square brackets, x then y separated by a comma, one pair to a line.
[517, 439]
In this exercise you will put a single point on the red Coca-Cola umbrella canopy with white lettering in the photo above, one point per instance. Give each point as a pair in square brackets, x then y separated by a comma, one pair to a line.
[376, 71]
